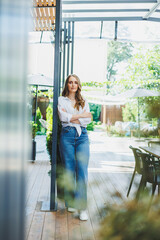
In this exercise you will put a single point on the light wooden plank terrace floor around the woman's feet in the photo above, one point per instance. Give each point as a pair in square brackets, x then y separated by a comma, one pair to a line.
[110, 169]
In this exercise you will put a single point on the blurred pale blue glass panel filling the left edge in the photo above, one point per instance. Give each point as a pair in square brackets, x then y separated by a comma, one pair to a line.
[14, 26]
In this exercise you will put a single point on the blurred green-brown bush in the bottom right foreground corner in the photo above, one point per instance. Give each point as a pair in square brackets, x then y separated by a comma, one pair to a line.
[131, 220]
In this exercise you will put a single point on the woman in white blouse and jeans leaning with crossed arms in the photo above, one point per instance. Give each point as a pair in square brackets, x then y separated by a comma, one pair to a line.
[74, 115]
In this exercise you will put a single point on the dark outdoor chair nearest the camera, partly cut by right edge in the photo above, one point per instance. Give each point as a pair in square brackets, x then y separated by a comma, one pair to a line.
[150, 172]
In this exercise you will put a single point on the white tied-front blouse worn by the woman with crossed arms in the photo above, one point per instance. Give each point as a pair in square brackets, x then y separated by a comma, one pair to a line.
[65, 117]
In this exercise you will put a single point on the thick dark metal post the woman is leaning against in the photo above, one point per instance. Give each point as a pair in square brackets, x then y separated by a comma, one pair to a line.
[55, 103]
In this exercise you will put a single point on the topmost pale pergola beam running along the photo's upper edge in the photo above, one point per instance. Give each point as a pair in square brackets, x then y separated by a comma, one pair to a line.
[108, 1]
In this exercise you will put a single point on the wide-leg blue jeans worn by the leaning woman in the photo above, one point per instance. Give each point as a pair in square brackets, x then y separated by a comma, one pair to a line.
[74, 152]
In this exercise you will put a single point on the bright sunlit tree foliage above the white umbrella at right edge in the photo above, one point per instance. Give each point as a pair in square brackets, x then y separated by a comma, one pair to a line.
[143, 70]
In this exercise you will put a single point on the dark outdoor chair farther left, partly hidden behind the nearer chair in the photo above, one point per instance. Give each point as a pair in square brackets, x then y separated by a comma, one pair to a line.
[138, 166]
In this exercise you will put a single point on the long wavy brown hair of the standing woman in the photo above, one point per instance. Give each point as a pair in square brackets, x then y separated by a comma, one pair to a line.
[78, 97]
